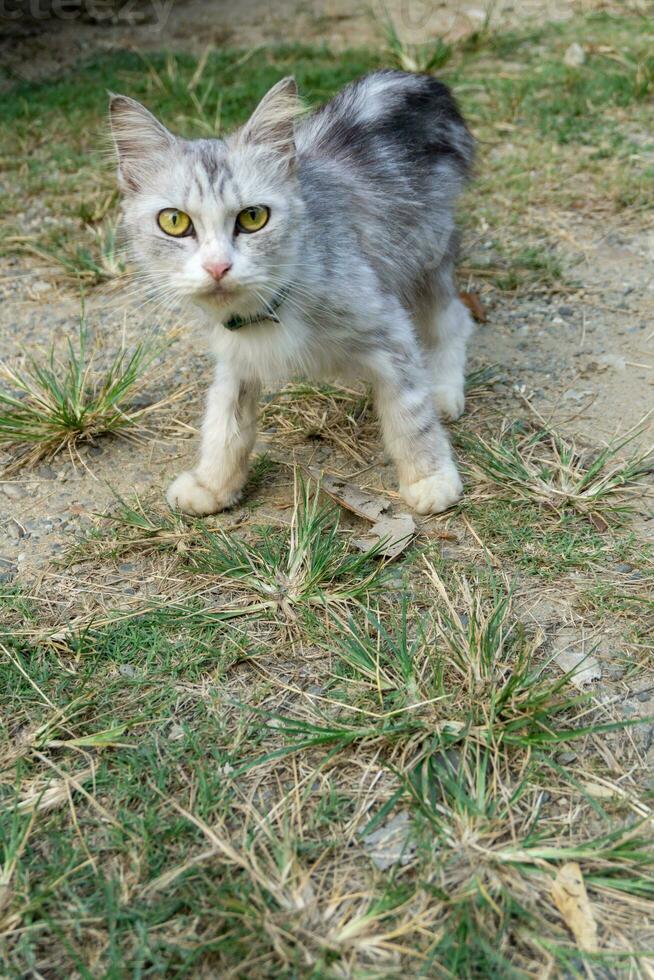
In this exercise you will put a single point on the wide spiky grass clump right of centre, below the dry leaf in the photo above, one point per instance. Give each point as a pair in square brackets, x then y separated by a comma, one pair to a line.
[465, 667]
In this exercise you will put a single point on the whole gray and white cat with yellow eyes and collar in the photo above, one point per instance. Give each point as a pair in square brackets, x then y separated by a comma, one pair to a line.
[315, 245]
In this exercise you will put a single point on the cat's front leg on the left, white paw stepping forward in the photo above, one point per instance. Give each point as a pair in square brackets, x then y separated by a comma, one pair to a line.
[228, 434]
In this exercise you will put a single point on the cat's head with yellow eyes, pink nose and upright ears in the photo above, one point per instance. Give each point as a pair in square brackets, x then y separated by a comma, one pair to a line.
[212, 220]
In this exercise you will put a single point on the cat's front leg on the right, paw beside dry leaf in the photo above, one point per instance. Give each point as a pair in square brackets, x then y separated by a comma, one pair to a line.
[414, 437]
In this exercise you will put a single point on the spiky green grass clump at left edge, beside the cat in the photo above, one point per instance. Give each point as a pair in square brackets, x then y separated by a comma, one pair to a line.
[51, 407]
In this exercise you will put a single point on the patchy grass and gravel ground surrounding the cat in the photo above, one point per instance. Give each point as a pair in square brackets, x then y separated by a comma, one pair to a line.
[243, 746]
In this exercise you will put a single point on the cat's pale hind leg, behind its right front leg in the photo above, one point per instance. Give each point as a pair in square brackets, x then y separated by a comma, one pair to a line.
[448, 327]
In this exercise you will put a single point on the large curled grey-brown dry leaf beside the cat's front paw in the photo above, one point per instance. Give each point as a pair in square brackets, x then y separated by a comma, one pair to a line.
[396, 530]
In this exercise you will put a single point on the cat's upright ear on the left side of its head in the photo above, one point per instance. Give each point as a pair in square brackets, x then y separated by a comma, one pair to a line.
[139, 138]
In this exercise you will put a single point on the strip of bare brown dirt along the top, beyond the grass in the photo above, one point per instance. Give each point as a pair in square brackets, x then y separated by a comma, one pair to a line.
[32, 47]
